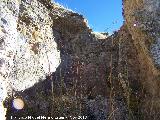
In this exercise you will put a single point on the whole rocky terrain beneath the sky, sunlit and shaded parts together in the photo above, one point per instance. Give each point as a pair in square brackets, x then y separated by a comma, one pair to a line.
[53, 61]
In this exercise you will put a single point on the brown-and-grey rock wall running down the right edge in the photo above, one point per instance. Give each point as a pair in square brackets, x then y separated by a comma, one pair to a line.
[145, 33]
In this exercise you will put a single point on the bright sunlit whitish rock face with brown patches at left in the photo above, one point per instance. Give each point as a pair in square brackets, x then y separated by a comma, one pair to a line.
[28, 49]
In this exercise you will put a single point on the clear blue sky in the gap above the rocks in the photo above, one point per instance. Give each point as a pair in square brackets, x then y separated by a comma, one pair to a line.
[102, 15]
